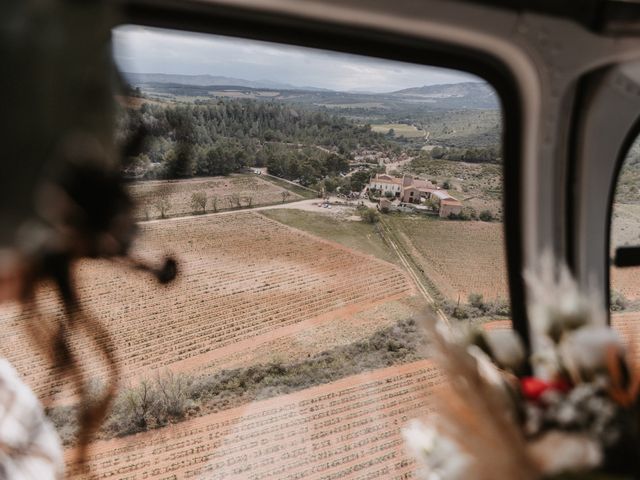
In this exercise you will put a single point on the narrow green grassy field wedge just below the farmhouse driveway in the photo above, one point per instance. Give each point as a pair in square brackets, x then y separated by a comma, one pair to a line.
[360, 236]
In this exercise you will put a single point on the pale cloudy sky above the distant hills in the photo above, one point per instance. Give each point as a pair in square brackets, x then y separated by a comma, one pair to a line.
[150, 50]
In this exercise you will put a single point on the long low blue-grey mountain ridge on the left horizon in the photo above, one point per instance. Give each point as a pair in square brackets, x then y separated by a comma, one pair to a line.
[211, 81]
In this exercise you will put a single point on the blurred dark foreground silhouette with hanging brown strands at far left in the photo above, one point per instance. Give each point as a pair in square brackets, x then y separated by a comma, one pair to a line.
[62, 198]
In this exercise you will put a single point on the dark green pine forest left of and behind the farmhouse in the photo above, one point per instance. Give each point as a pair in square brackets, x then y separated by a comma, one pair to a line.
[225, 136]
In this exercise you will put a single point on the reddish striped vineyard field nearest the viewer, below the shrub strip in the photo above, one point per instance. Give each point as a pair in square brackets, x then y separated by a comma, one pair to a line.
[345, 429]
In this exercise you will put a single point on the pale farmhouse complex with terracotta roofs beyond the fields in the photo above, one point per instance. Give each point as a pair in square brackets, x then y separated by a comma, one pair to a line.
[415, 190]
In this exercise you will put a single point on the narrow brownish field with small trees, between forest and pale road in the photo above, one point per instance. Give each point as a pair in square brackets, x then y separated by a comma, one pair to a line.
[234, 191]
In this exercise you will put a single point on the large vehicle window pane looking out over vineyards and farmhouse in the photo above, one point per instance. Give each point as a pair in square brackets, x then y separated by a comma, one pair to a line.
[317, 204]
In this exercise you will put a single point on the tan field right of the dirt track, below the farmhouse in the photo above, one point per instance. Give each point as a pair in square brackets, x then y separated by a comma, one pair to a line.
[458, 257]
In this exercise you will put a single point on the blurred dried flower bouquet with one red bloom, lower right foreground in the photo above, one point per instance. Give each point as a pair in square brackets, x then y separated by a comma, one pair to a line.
[567, 410]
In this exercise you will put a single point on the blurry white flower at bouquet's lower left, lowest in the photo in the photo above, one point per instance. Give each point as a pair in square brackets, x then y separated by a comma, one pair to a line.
[440, 457]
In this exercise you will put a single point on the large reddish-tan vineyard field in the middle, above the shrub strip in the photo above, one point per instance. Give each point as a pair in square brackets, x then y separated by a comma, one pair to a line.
[244, 281]
